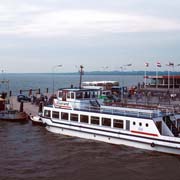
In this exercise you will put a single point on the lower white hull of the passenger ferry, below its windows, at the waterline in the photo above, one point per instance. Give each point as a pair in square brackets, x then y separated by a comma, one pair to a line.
[113, 138]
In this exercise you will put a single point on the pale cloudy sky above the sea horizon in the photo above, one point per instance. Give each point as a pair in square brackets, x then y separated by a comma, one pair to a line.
[38, 35]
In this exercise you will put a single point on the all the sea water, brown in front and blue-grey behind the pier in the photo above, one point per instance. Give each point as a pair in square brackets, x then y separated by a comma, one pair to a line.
[31, 152]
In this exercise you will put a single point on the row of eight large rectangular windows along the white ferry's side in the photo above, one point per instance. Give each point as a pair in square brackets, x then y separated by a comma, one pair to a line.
[85, 119]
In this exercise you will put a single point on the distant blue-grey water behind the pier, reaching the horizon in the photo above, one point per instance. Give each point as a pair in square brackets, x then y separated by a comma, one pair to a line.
[43, 81]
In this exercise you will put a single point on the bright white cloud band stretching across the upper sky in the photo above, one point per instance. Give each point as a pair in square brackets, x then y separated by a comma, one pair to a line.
[29, 20]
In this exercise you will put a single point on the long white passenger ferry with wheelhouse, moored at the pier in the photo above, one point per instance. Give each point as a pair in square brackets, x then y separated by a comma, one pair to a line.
[76, 112]
